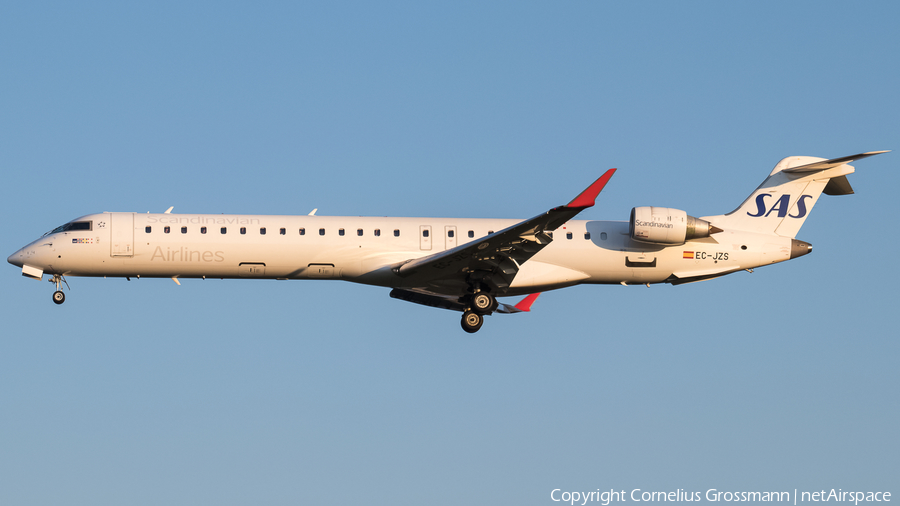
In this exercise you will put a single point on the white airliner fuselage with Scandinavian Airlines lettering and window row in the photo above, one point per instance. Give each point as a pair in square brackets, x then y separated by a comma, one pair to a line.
[365, 249]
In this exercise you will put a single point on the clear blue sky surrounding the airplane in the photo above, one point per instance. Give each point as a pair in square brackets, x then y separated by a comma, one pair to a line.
[237, 392]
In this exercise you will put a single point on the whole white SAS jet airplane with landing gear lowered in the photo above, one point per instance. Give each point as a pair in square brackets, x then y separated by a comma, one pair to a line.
[458, 264]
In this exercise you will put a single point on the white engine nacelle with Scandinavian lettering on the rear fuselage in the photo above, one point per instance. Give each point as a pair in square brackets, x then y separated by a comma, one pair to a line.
[662, 225]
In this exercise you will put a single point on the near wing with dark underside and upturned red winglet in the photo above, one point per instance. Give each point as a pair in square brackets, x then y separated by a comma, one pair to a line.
[495, 259]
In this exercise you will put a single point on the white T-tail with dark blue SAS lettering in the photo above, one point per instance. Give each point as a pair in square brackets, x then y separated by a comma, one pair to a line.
[782, 202]
